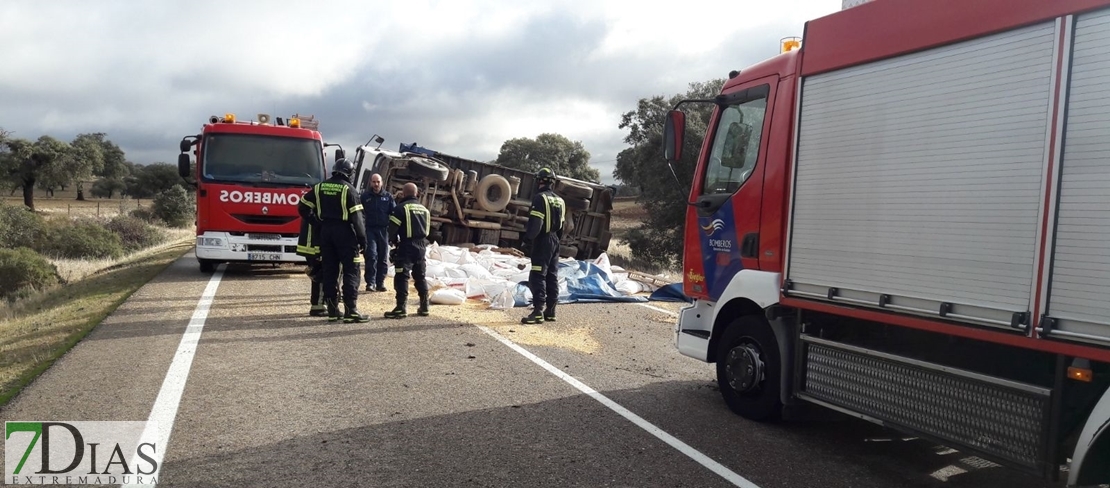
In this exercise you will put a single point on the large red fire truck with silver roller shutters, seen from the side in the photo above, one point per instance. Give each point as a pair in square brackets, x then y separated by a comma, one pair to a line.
[907, 221]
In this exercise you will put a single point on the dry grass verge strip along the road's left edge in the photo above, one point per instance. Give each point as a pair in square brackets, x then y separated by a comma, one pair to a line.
[42, 329]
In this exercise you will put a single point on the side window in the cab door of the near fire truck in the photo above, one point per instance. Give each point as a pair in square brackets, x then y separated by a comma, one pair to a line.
[735, 147]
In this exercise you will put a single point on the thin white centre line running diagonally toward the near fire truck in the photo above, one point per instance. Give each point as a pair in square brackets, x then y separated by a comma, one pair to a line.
[682, 448]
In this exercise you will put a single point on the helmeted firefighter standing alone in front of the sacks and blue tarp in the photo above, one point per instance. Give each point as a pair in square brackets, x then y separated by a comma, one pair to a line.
[542, 237]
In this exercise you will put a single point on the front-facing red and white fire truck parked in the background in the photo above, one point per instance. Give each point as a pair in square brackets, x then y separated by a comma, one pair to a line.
[250, 176]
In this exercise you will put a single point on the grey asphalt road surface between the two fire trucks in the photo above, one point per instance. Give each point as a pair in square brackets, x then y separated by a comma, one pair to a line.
[274, 398]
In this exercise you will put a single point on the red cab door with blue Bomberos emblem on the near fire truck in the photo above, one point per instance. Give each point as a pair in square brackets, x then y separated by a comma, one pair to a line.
[729, 191]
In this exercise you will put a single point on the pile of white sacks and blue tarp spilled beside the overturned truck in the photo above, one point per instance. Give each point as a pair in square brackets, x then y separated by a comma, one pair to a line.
[457, 274]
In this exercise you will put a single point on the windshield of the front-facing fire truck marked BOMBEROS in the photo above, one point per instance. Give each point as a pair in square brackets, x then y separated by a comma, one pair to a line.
[263, 160]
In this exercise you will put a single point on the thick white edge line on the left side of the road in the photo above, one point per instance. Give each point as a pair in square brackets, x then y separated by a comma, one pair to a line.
[166, 408]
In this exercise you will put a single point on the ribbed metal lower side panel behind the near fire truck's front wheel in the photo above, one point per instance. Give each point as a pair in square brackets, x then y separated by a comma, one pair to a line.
[1003, 421]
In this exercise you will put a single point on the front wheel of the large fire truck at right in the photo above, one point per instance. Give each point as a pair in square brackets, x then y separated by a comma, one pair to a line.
[749, 370]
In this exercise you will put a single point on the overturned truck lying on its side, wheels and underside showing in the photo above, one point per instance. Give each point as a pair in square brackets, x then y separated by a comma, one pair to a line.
[482, 204]
